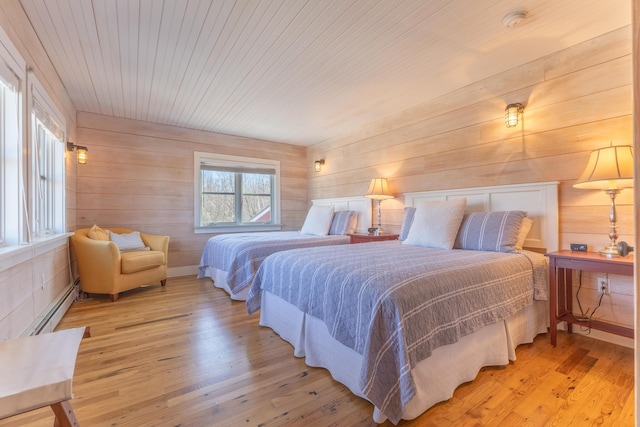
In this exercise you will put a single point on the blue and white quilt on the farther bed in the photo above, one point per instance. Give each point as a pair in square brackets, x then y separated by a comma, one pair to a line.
[241, 254]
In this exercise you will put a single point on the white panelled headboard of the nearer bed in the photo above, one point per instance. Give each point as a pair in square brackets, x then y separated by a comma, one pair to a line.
[539, 200]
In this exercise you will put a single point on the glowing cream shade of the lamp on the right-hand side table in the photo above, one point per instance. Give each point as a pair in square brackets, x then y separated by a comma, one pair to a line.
[608, 168]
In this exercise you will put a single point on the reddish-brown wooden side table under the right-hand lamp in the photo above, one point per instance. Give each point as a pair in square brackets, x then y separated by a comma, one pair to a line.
[561, 265]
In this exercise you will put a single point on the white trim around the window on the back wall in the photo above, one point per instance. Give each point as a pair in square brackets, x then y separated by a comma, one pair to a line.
[231, 161]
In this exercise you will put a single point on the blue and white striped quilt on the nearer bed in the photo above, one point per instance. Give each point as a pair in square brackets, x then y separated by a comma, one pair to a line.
[394, 303]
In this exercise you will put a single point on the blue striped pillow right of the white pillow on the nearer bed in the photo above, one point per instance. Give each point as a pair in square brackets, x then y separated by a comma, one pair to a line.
[490, 231]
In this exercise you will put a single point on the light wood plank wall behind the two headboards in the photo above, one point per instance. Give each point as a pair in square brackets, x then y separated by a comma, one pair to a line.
[575, 101]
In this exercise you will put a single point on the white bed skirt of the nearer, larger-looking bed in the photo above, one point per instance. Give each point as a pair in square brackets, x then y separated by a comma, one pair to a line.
[436, 378]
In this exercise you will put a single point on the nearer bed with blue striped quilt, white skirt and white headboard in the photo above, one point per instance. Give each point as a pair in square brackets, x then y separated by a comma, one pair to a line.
[402, 324]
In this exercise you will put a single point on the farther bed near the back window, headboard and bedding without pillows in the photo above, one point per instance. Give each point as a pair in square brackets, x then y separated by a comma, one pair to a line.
[254, 246]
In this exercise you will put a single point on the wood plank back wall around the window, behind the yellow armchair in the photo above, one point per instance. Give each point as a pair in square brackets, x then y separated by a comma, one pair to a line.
[140, 176]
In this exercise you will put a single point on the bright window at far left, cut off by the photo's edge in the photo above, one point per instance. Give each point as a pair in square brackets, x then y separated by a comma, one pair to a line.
[11, 140]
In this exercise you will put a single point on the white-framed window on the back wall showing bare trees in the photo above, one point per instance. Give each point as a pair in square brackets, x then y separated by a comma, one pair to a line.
[236, 193]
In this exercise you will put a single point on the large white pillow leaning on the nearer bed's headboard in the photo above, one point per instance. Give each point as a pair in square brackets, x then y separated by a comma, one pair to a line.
[435, 224]
